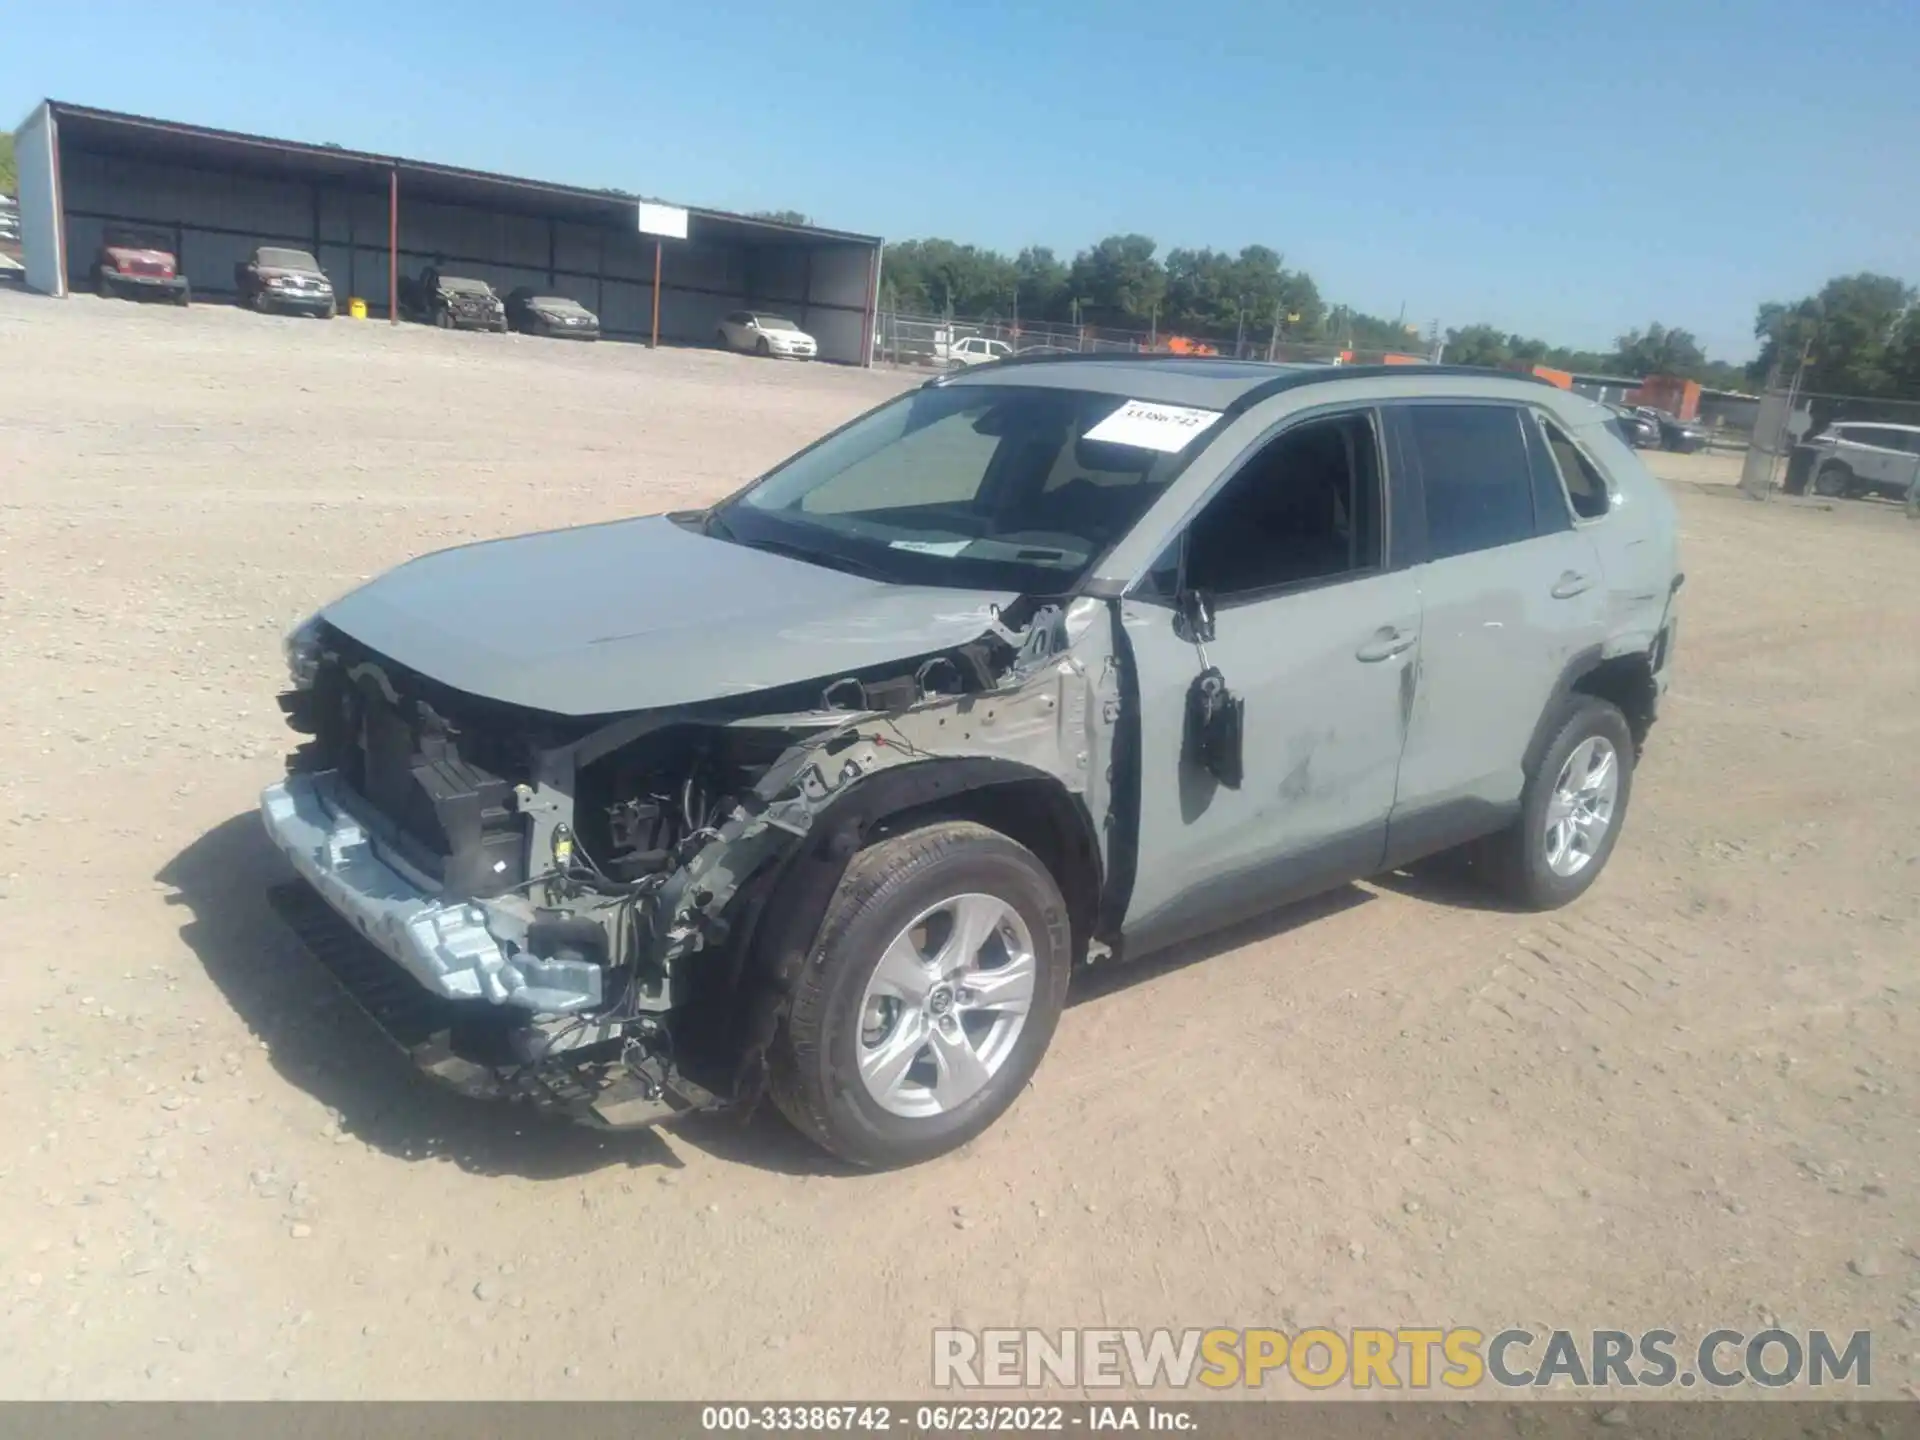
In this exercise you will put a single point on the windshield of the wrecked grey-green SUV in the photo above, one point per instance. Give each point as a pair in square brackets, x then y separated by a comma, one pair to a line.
[967, 487]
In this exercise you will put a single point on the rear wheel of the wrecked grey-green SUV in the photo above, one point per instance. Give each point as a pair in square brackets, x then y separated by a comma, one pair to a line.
[1572, 809]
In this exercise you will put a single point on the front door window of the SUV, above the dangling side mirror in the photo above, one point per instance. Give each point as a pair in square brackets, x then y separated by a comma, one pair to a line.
[1305, 508]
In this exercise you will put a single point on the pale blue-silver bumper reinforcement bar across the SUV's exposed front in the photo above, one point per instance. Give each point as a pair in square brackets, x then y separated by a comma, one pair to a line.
[444, 946]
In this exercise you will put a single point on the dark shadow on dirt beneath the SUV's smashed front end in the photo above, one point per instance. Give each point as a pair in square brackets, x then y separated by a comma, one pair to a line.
[322, 1044]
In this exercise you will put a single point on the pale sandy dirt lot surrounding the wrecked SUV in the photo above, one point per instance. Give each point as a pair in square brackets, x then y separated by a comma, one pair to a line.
[1691, 1101]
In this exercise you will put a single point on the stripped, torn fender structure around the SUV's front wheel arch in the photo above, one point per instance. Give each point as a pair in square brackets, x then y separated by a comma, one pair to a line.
[704, 949]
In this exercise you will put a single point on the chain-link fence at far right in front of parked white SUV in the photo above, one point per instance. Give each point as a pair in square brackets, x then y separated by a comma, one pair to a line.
[1836, 446]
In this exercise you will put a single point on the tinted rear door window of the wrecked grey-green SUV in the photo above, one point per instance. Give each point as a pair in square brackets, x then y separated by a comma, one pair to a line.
[1474, 469]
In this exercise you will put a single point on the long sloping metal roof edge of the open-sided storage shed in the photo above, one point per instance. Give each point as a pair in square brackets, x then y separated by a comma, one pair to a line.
[141, 135]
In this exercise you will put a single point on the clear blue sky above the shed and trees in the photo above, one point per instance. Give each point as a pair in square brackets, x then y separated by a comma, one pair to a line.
[1568, 172]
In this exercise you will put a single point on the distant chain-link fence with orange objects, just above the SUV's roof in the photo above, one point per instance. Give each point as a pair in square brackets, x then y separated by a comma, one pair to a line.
[942, 343]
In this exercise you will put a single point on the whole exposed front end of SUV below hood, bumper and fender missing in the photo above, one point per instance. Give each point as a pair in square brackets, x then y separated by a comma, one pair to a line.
[610, 901]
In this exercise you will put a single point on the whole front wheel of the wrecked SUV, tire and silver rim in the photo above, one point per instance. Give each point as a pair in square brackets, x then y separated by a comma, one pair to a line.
[928, 999]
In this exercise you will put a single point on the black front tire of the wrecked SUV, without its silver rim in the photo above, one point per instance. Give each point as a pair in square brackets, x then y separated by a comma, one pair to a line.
[815, 1059]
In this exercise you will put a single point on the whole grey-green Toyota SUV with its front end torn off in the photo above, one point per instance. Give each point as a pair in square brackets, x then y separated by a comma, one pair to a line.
[821, 794]
